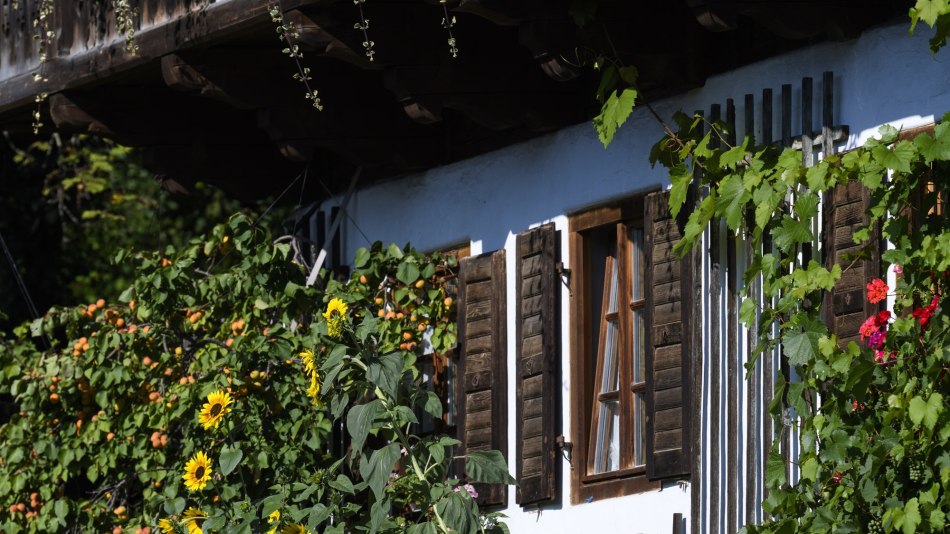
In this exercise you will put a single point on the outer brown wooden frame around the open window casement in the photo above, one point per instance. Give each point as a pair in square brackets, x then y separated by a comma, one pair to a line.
[584, 486]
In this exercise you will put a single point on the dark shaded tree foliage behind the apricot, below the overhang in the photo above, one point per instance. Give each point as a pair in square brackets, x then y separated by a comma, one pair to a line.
[68, 204]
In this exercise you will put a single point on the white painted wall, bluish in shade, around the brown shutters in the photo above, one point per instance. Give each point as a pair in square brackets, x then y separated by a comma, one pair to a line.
[883, 77]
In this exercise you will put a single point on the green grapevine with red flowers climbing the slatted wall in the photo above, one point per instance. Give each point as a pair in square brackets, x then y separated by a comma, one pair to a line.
[873, 421]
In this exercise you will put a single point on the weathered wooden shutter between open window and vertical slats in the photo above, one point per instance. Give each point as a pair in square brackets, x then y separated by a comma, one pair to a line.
[669, 296]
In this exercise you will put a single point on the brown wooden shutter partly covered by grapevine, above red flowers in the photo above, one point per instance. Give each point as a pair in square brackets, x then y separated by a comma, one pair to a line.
[845, 211]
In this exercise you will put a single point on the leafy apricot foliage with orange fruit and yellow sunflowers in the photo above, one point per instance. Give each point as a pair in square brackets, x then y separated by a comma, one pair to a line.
[108, 417]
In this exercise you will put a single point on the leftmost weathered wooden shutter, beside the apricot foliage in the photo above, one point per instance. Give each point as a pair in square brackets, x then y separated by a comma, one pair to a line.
[482, 410]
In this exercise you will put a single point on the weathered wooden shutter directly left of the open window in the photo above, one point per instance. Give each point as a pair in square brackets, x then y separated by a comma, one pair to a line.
[538, 379]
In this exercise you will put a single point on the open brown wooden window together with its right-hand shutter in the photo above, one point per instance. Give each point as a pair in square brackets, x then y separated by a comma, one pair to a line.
[629, 412]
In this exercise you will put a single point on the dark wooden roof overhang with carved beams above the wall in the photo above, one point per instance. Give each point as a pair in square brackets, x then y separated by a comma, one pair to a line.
[210, 95]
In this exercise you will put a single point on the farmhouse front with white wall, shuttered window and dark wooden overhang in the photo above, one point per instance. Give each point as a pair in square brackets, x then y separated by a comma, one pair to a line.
[611, 373]
